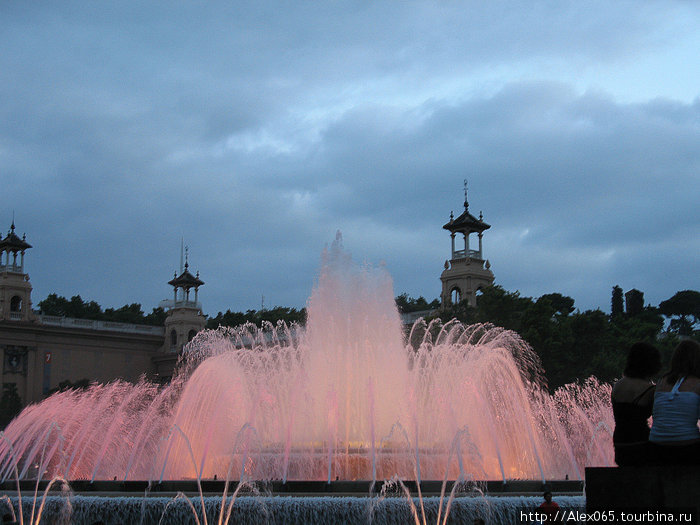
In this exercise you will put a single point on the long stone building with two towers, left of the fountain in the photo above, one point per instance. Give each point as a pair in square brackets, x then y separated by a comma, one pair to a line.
[39, 351]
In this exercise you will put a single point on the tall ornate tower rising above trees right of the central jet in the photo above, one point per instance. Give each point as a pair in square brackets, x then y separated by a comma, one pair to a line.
[466, 271]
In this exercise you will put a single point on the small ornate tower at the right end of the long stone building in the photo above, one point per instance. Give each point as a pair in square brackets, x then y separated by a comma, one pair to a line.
[185, 316]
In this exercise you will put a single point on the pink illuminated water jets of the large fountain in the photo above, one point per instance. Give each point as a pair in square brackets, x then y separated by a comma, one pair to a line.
[348, 397]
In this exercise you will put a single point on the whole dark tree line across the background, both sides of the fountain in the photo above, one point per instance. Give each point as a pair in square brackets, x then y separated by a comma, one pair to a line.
[571, 344]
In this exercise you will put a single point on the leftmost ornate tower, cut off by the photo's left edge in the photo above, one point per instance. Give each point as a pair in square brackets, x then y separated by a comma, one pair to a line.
[15, 290]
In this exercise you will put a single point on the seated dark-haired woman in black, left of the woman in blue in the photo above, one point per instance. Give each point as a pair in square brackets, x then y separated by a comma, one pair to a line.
[632, 400]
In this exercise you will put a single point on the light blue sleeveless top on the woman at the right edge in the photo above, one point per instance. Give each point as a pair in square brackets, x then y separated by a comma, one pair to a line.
[675, 415]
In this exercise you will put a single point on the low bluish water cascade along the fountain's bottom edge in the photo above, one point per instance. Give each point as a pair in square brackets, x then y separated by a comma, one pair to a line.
[291, 511]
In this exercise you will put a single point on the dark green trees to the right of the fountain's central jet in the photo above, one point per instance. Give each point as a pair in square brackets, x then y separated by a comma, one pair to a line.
[574, 345]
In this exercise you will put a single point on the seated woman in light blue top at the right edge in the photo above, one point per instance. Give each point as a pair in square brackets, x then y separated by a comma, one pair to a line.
[675, 435]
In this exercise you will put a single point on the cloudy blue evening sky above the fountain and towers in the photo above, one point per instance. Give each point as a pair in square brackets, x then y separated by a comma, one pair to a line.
[257, 130]
